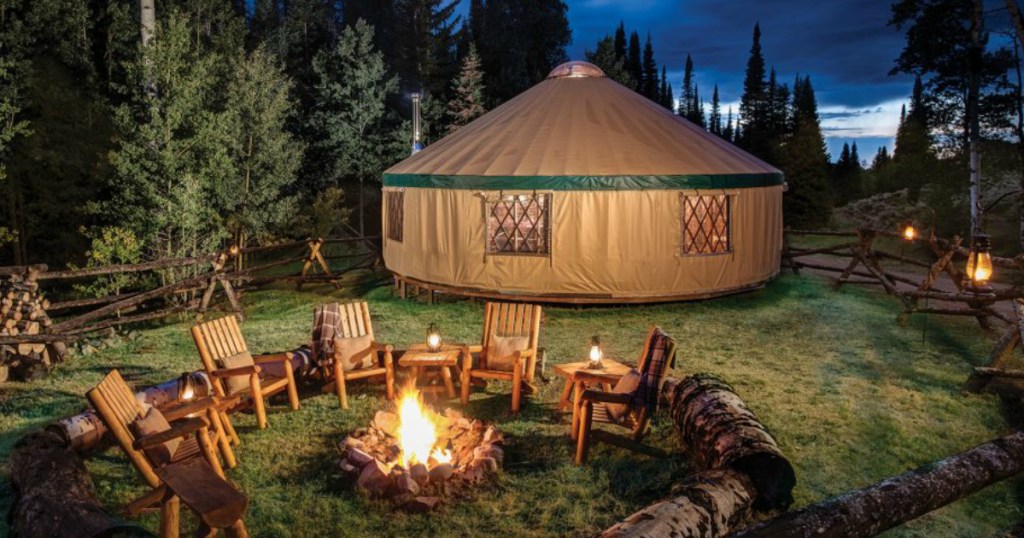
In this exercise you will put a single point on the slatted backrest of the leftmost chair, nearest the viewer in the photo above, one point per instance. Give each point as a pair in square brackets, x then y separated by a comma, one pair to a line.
[118, 408]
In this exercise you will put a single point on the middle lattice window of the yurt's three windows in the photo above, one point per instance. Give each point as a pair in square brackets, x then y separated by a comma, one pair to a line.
[520, 225]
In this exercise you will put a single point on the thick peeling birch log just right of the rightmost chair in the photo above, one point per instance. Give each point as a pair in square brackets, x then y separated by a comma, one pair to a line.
[721, 433]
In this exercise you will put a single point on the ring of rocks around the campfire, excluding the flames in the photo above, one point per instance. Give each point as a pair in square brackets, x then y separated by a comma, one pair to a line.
[372, 458]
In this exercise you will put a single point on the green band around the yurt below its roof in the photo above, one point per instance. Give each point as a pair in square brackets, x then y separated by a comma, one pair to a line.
[585, 183]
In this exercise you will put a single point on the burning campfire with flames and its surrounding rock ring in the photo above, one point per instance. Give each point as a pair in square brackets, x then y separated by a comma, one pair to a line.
[418, 458]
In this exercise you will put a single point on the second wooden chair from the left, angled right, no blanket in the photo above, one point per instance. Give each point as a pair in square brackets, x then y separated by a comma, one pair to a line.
[220, 340]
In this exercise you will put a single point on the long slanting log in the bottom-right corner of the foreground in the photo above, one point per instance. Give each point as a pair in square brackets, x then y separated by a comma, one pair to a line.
[900, 500]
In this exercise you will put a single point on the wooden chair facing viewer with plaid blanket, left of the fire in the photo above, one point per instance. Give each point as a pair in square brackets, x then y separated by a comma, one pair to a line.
[354, 321]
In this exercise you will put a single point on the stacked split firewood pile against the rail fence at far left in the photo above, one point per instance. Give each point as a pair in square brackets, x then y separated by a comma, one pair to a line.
[23, 312]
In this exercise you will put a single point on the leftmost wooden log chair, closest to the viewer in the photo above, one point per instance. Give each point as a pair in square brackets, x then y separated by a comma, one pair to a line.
[194, 474]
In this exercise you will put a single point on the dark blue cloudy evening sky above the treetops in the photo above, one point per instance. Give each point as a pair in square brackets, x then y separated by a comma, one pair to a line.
[844, 46]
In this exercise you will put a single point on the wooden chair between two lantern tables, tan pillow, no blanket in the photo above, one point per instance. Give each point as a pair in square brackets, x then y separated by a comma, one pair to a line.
[505, 320]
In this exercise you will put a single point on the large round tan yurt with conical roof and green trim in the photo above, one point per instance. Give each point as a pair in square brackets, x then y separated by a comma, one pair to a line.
[582, 191]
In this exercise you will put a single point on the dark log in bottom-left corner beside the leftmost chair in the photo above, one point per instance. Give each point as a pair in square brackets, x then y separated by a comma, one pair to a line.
[55, 495]
